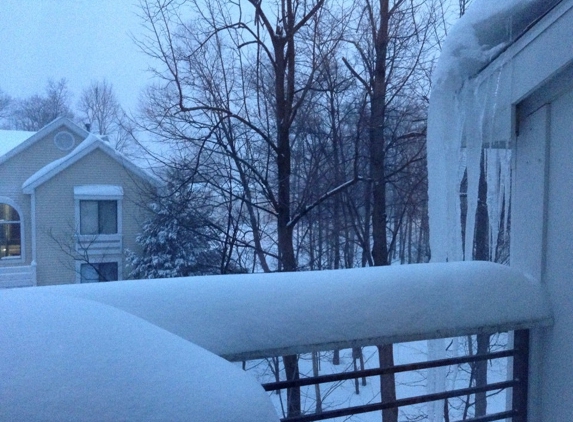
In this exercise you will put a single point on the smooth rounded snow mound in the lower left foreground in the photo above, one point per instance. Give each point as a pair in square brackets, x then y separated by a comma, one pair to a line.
[69, 359]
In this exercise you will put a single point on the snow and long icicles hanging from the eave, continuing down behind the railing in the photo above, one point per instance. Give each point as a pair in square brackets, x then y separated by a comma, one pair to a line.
[470, 114]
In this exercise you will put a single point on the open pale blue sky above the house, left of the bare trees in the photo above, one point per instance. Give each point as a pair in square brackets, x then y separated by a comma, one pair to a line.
[80, 40]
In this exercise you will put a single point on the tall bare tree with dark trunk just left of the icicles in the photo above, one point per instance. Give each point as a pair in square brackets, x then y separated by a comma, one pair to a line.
[392, 63]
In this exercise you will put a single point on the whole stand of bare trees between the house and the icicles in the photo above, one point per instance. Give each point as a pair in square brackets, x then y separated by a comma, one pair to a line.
[296, 130]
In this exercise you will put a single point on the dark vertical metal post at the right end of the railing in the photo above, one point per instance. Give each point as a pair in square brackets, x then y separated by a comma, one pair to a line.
[521, 374]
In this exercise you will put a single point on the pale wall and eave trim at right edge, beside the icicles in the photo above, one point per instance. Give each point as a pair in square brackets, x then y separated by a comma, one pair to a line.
[538, 86]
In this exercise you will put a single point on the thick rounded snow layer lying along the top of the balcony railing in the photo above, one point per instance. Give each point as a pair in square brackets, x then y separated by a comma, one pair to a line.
[256, 315]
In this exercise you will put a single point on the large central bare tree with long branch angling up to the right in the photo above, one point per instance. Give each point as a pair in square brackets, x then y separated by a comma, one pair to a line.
[234, 81]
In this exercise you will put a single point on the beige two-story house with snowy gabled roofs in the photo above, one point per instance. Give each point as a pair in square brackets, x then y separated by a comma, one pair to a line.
[70, 207]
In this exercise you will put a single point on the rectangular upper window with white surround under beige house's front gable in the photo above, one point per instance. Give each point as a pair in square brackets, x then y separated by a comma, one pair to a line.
[98, 217]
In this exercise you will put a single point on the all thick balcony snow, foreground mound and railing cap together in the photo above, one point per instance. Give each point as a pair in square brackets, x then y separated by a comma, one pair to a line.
[120, 348]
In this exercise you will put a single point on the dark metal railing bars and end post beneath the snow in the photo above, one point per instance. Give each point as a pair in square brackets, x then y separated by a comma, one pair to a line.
[518, 383]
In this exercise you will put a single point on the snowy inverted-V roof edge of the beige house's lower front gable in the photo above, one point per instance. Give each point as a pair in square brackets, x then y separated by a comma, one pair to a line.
[90, 144]
